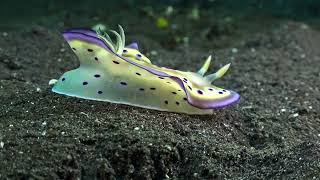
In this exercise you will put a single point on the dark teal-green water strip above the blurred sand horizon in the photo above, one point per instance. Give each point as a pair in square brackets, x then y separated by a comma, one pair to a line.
[308, 10]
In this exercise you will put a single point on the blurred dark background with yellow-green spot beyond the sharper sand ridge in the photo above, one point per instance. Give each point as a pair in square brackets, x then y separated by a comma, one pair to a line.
[169, 21]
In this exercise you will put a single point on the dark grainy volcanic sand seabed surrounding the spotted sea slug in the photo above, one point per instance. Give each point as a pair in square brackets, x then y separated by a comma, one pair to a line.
[273, 132]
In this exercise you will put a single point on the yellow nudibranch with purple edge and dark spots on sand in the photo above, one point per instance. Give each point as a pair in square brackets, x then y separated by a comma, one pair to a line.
[121, 74]
